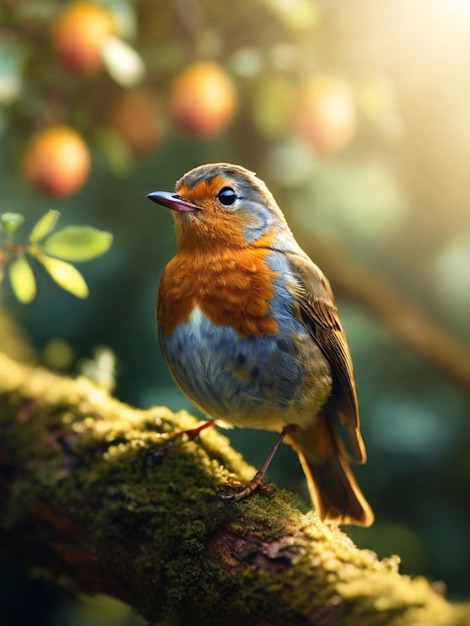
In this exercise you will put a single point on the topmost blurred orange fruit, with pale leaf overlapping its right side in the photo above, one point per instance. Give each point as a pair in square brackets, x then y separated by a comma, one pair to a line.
[78, 36]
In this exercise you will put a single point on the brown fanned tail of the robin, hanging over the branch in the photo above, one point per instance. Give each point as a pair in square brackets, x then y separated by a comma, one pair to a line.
[333, 488]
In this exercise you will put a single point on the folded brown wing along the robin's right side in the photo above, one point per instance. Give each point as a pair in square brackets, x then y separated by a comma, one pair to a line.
[318, 311]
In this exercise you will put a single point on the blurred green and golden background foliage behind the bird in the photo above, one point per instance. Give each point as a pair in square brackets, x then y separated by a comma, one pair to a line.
[395, 196]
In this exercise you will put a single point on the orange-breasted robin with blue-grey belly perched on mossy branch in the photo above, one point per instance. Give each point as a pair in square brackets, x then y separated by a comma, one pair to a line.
[249, 330]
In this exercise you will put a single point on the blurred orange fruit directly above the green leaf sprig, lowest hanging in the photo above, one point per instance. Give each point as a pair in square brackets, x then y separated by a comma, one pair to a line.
[56, 161]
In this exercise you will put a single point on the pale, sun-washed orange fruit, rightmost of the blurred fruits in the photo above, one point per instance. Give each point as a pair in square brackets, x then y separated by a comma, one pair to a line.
[325, 114]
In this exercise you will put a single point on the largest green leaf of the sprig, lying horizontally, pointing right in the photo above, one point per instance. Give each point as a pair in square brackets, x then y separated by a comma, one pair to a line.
[78, 243]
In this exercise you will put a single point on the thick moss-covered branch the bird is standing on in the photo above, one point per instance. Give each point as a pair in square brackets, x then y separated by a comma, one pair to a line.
[83, 498]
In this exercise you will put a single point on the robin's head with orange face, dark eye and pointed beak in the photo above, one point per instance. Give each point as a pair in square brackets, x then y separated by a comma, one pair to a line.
[223, 204]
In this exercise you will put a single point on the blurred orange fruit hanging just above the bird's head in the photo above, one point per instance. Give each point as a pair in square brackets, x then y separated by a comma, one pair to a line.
[203, 100]
